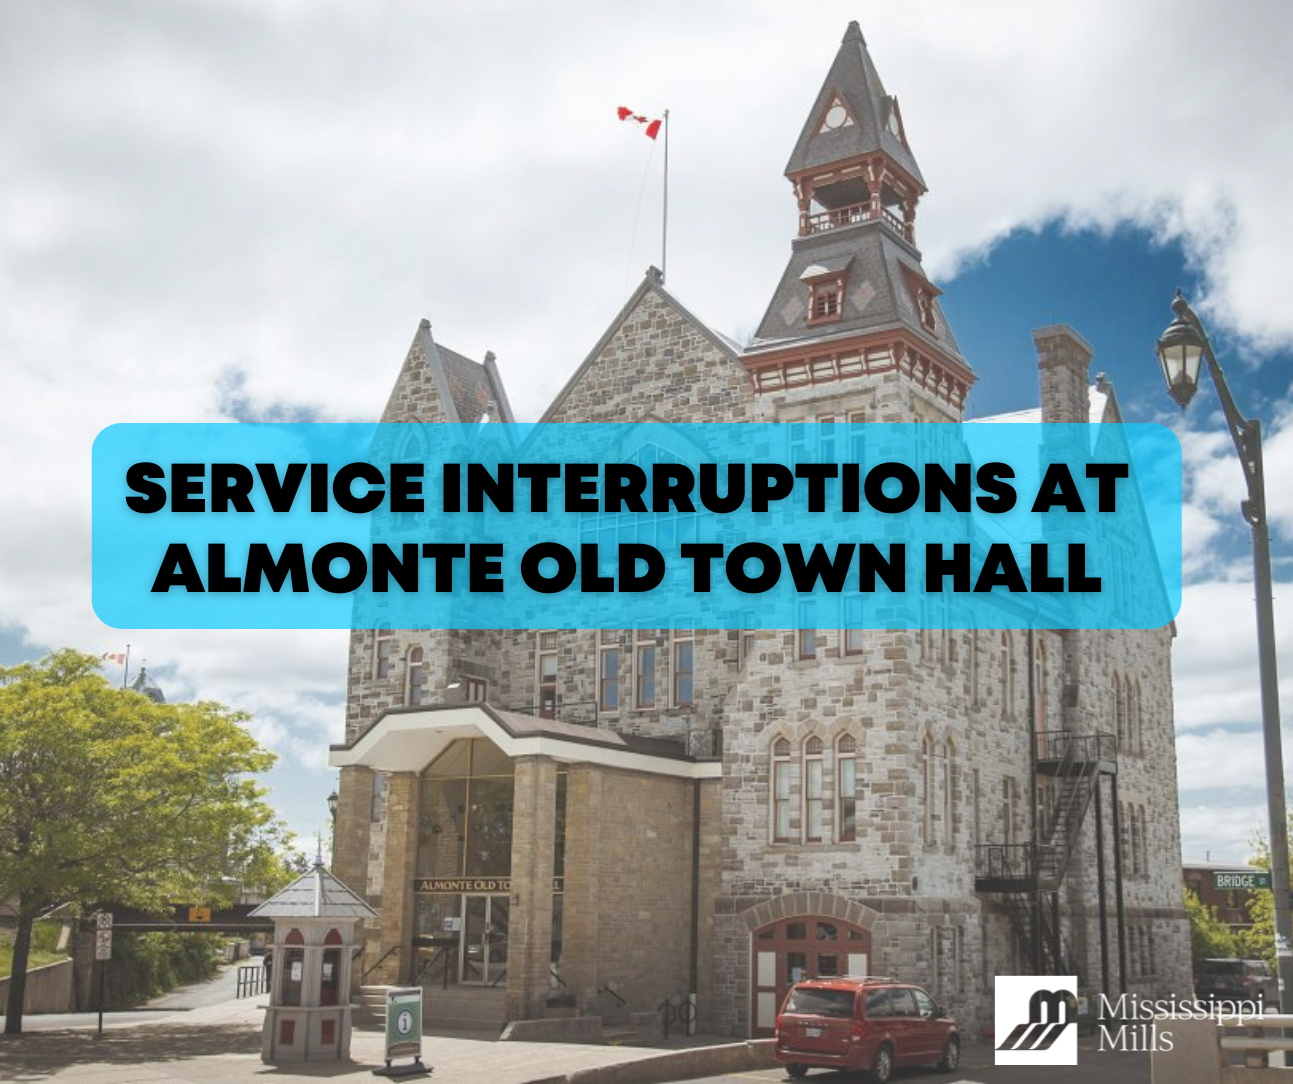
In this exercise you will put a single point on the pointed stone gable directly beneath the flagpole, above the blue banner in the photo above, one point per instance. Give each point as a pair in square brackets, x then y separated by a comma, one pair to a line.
[657, 359]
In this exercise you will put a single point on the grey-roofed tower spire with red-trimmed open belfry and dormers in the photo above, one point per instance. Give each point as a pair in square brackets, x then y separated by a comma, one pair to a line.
[854, 298]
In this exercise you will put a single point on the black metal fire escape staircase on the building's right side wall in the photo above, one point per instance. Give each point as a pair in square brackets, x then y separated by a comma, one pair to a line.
[1029, 876]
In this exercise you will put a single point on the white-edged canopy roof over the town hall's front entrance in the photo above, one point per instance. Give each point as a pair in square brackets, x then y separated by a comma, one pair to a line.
[408, 739]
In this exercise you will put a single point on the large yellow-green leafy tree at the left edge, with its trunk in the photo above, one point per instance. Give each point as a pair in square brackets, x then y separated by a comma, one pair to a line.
[107, 797]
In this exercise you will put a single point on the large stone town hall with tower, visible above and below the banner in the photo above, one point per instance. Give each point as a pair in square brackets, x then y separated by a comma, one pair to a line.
[614, 819]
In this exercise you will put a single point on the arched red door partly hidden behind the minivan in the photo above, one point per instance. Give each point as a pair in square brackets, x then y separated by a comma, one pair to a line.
[801, 948]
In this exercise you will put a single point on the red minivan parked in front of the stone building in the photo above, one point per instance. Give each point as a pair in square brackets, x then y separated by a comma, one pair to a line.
[870, 1024]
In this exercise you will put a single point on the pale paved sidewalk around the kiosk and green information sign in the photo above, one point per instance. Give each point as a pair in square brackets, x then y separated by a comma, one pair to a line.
[222, 1043]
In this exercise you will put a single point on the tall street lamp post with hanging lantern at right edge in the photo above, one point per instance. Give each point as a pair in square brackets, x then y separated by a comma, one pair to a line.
[1181, 350]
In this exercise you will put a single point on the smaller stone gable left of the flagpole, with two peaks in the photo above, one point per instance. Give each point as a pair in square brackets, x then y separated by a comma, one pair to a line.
[439, 385]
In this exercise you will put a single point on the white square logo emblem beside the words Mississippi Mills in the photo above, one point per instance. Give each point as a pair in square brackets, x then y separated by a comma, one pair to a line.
[1036, 1020]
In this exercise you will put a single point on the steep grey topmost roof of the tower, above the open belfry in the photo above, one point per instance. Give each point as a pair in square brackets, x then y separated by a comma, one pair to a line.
[853, 80]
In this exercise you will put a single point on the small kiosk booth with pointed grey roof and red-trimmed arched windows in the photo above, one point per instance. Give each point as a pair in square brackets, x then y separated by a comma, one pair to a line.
[308, 1017]
